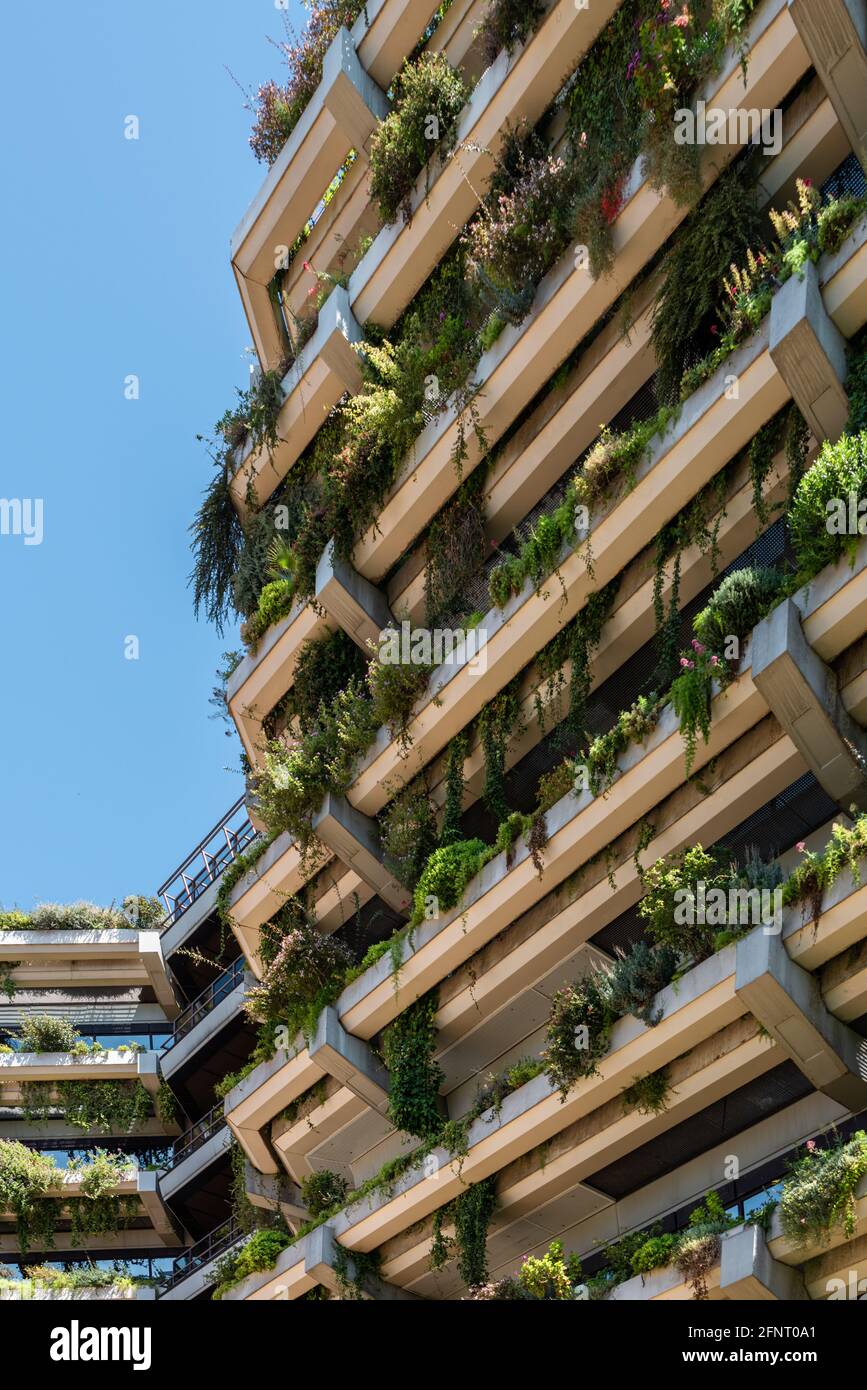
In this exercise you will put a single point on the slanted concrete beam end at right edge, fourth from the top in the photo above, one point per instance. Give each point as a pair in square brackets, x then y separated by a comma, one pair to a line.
[787, 1001]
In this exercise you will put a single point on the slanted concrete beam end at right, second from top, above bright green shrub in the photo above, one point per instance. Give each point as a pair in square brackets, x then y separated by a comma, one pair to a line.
[811, 354]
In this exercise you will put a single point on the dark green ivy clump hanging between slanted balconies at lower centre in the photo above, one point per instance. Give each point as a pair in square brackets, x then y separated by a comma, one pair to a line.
[415, 1078]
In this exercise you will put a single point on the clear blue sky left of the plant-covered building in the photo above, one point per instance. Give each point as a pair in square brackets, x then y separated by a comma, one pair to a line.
[116, 262]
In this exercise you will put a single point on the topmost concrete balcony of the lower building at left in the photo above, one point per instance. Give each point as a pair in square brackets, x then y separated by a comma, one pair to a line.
[116, 958]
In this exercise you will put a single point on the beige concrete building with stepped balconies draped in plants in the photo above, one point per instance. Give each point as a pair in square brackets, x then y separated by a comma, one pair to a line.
[534, 961]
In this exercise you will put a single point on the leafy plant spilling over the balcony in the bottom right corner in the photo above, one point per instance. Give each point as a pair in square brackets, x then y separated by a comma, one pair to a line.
[819, 1191]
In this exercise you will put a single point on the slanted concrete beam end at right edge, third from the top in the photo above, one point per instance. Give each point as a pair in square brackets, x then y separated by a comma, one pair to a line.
[802, 693]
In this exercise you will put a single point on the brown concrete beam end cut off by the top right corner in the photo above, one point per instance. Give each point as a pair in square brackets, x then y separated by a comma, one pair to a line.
[834, 33]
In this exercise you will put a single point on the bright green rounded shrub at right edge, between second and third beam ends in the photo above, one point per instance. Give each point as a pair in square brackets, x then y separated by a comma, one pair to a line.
[815, 518]
